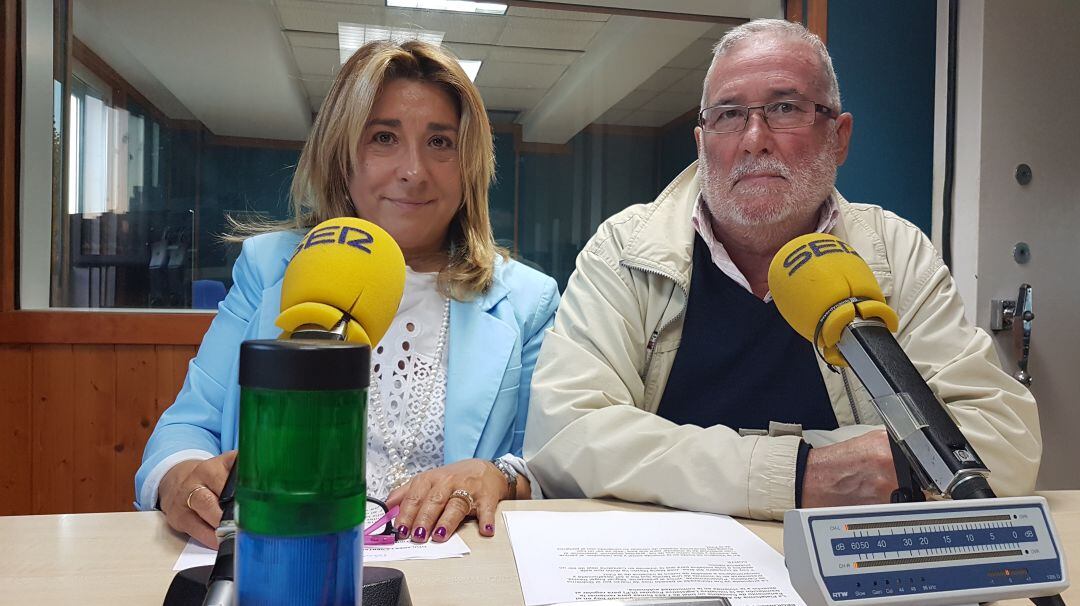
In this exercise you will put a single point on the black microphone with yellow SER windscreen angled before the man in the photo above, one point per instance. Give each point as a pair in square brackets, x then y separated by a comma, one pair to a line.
[829, 294]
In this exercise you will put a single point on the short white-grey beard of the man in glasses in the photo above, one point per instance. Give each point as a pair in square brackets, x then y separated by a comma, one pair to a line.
[805, 188]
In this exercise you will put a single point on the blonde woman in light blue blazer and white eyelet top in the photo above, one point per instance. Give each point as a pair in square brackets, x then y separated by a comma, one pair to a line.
[402, 141]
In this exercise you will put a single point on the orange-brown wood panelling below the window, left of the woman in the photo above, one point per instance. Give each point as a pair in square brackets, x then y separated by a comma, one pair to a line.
[75, 419]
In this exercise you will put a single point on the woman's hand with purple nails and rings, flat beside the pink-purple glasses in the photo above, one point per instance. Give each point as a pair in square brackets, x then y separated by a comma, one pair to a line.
[428, 510]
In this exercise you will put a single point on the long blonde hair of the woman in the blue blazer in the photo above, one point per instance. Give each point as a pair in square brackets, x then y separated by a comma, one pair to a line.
[321, 183]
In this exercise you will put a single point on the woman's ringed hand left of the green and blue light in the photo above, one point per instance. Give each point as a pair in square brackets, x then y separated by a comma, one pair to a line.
[198, 484]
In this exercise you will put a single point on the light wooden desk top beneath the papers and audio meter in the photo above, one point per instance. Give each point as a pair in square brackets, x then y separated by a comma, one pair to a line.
[117, 559]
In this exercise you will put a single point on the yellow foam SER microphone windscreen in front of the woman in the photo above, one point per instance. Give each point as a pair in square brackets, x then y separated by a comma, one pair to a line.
[344, 265]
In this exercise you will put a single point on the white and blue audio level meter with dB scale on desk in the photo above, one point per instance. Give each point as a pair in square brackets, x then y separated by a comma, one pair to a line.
[943, 554]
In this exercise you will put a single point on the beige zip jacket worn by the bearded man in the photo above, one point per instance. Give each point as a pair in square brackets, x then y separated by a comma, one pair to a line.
[593, 430]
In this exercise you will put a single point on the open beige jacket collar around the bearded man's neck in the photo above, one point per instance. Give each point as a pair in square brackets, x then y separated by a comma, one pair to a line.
[664, 241]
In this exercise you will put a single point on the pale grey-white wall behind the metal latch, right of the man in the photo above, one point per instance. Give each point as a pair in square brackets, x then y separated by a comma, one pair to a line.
[1017, 82]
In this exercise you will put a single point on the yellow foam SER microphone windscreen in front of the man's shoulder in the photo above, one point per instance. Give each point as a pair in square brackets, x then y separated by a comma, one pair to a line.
[813, 274]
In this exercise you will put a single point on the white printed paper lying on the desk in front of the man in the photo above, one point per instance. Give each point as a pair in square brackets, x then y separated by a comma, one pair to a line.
[609, 556]
